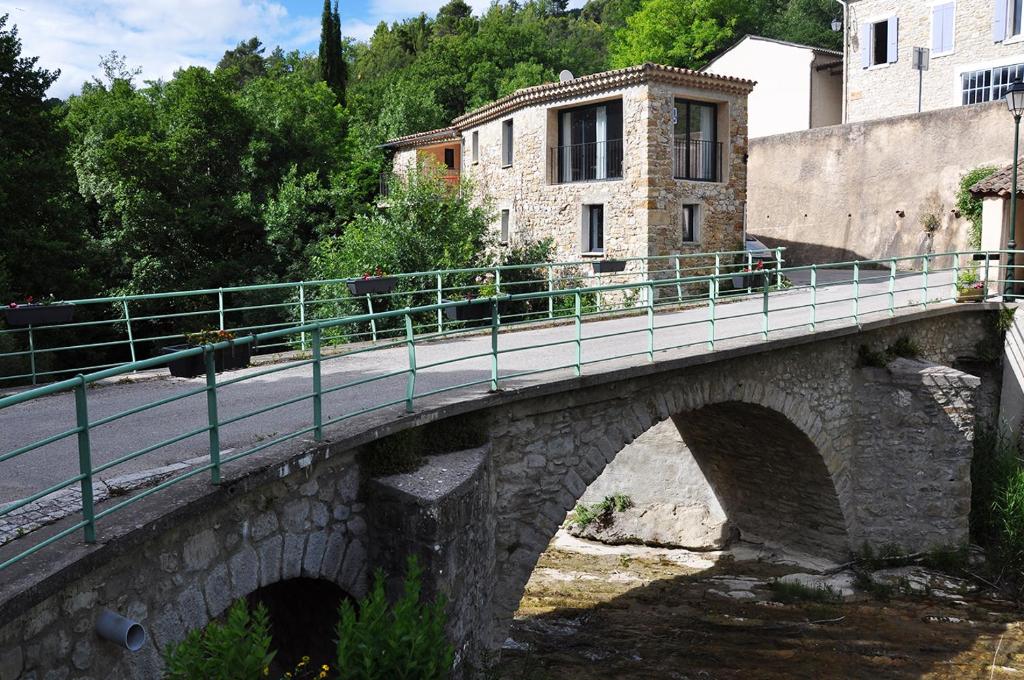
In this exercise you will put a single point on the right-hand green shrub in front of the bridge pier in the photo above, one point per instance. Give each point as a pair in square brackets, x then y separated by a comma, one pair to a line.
[404, 642]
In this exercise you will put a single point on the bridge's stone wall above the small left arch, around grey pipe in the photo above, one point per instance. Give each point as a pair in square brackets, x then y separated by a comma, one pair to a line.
[307, 524]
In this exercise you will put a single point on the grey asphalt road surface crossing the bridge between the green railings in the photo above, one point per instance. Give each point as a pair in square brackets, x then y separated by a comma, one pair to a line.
[676, 332]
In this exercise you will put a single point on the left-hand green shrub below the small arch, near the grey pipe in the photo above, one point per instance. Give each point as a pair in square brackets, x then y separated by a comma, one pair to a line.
[236, 650]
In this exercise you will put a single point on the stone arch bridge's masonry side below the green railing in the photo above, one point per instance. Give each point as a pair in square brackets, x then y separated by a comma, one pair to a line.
[803, 445]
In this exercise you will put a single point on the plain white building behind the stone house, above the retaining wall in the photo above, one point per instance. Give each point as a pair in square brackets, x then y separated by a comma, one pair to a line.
[799, 88]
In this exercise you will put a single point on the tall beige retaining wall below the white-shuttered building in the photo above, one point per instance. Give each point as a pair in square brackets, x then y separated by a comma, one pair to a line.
[861, 191]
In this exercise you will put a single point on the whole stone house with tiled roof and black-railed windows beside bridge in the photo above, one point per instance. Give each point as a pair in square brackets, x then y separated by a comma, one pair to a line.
[648, 160]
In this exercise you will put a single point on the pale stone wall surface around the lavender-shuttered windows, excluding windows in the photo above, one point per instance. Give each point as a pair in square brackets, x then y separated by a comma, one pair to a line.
[891, 90]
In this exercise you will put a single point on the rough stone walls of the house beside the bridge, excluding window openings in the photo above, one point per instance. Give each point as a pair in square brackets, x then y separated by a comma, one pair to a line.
[644, 209]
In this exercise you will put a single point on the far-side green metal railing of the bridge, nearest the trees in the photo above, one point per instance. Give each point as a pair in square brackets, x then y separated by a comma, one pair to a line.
[111, 331]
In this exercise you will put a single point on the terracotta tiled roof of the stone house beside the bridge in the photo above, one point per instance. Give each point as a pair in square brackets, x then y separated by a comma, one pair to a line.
[600, 82]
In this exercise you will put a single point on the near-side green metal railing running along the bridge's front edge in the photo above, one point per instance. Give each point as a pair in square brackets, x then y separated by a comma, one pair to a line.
[852, 291]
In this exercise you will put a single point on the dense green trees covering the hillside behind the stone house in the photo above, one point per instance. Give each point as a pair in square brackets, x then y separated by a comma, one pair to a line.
[254, 172]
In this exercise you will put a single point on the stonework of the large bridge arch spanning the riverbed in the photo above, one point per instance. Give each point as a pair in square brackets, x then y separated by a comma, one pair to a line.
[548, 453]
